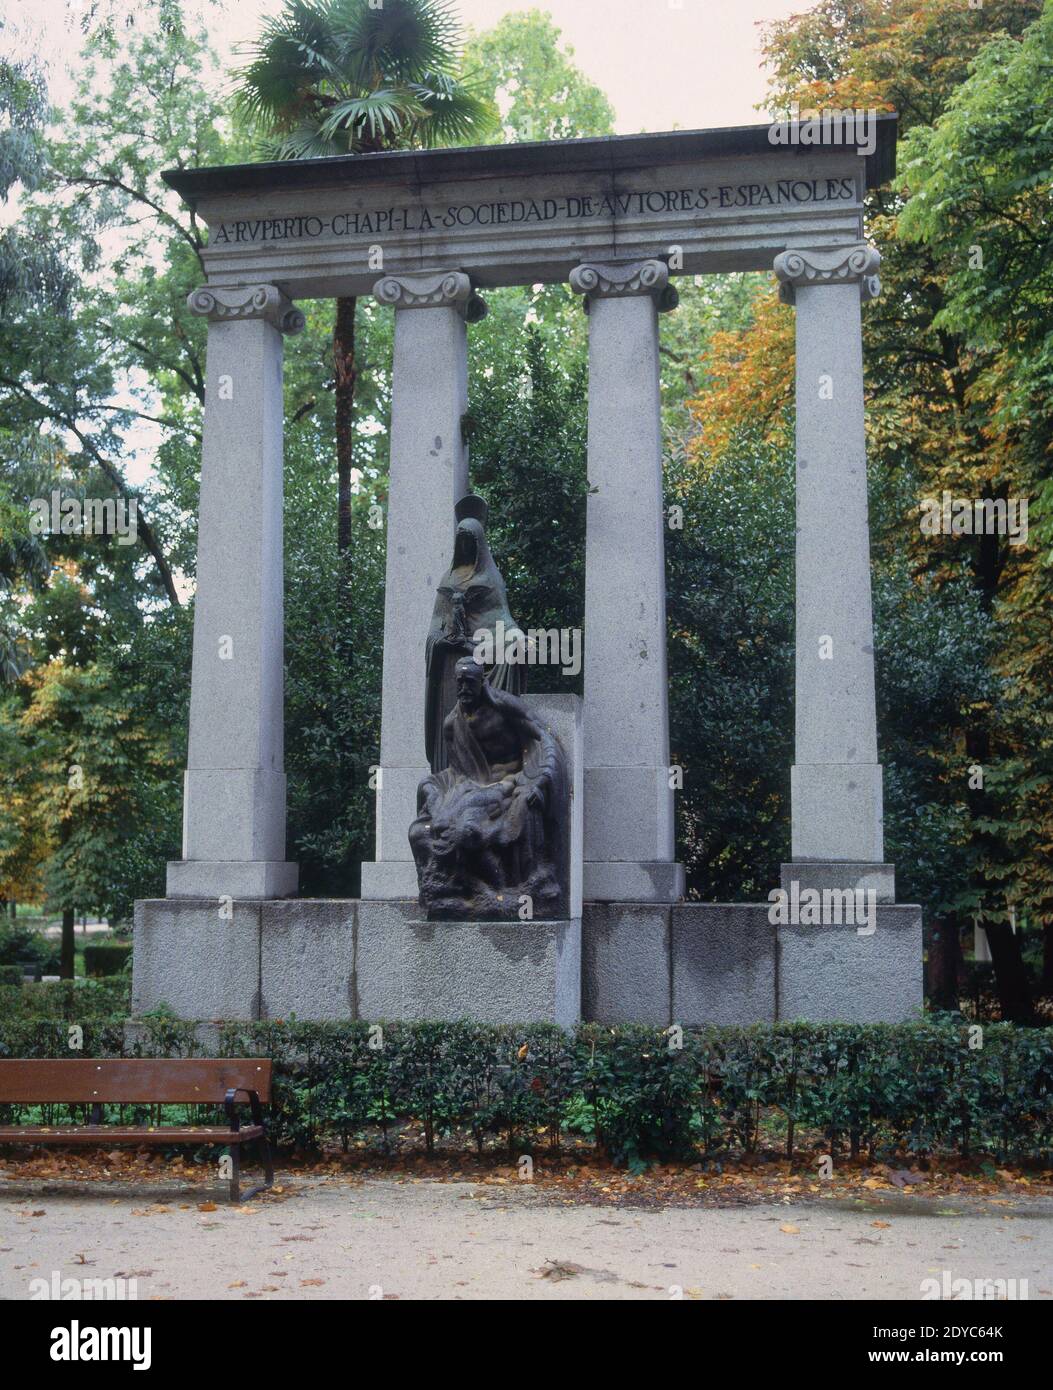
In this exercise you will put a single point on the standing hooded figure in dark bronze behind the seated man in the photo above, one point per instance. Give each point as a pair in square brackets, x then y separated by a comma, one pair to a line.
[472, 600]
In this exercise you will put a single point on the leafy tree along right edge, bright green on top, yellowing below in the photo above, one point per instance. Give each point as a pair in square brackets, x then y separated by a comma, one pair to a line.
[980, 187]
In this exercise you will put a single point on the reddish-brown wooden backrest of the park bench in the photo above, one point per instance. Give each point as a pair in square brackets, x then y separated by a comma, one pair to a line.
[130, 1081]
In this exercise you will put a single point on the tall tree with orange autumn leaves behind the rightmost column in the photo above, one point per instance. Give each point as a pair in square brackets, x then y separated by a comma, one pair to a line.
[934, 415]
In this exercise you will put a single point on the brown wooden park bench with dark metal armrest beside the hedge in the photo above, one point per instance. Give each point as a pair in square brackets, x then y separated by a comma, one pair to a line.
[229, 1082]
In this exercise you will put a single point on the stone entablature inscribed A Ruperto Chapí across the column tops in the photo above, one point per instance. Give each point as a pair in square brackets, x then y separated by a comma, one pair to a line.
[530, 213]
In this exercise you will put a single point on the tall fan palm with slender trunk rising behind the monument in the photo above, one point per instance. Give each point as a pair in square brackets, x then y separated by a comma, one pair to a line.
[354, 77]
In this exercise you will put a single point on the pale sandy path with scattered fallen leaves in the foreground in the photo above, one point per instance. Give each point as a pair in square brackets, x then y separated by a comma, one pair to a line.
[419, 1239]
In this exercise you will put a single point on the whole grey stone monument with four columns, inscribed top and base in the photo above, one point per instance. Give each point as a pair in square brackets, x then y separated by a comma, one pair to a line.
[616, 219]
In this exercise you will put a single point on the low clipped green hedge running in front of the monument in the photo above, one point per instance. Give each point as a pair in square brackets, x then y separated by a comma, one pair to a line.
[920, 1088]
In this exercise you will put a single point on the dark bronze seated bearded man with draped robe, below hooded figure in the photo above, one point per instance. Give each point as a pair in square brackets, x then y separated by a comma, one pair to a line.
[491, 828]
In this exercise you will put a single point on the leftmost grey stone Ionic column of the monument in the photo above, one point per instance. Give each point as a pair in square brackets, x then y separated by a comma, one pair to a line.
[234, 804]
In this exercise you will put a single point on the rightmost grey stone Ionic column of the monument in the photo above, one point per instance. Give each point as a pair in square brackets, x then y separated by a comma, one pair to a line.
[837, 780]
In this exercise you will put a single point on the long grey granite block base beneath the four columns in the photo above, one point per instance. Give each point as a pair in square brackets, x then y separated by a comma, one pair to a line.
[623, 963]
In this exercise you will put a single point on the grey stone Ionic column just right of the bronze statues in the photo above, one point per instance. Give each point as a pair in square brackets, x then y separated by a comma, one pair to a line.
[630, 842]
